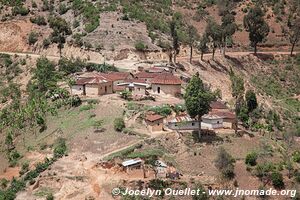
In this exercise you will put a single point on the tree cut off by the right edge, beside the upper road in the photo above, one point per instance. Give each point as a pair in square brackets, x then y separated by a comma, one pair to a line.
[294, 32]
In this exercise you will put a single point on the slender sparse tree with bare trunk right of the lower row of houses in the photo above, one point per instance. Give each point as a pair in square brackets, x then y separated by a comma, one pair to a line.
[237, 87]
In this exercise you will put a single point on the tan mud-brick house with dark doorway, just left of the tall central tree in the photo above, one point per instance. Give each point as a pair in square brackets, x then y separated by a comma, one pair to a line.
[166, 83]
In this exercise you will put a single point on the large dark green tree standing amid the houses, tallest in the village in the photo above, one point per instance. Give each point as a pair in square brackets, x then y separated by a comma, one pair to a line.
[197, 99]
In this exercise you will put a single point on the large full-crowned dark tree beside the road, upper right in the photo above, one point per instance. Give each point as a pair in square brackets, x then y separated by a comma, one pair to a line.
[257, 27]
